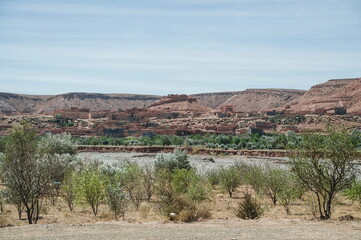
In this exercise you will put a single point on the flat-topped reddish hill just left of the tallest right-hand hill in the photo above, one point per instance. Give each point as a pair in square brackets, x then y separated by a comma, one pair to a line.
[262, 99]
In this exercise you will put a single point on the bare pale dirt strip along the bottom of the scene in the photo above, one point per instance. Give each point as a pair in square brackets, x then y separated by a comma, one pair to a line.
[216, 229]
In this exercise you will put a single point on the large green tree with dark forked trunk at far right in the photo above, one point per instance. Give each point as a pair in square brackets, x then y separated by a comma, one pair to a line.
[324, 165]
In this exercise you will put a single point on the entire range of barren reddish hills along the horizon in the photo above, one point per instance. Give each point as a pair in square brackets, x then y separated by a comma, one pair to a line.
[333, 93]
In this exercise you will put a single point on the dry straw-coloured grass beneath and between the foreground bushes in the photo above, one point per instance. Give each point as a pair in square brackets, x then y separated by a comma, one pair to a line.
[220, 206]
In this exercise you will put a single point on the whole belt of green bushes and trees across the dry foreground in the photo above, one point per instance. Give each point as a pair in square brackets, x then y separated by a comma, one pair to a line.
[173, 185]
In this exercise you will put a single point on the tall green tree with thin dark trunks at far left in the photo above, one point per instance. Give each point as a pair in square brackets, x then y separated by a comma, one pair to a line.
[29, 172]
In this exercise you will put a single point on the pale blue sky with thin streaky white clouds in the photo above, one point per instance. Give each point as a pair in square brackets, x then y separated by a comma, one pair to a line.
[176, 46]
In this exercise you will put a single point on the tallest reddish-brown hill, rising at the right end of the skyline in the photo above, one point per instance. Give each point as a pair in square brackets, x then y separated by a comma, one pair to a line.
[329, 95]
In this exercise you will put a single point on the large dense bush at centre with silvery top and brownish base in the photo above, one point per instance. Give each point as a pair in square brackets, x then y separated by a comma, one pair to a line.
[180, 190]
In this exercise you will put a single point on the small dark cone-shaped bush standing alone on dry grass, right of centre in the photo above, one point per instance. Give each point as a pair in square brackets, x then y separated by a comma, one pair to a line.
[249, 208]
